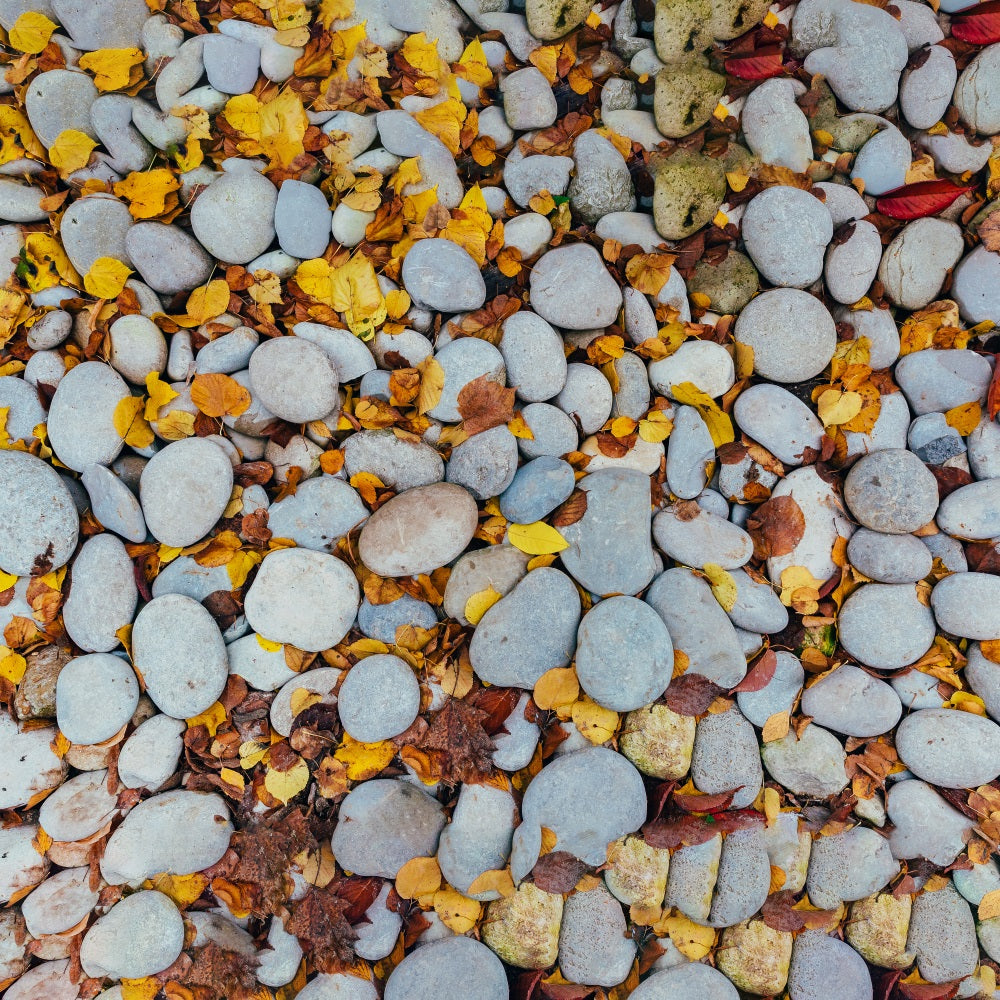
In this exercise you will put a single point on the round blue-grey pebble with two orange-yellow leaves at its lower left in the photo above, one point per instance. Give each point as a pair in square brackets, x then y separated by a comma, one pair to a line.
[624, 657]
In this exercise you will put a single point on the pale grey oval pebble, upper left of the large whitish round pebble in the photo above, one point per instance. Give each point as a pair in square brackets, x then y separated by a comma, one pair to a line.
[184, 490]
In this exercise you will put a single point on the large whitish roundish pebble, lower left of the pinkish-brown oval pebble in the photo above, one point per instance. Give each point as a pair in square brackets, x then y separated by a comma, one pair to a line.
[289, 585]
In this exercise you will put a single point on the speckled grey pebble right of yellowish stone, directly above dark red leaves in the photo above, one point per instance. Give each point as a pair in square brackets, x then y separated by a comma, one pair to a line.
[726, 758]
